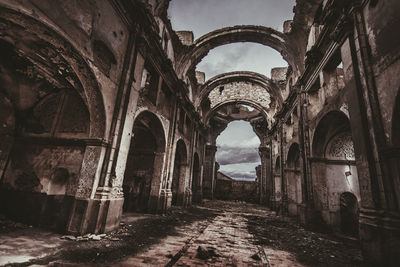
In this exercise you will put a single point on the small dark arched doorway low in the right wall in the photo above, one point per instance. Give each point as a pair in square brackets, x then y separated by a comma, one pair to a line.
[349, 214]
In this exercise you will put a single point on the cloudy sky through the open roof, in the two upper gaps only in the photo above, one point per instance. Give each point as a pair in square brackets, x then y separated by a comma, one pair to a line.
[203, 16]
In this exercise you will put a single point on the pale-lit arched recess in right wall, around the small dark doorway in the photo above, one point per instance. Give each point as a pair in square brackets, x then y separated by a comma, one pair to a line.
[333, 167]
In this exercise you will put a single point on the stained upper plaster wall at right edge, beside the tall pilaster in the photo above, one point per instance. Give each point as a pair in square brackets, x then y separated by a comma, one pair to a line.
[382, 30]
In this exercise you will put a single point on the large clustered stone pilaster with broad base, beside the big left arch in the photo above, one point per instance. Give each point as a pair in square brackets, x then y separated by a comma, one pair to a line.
[101, 209]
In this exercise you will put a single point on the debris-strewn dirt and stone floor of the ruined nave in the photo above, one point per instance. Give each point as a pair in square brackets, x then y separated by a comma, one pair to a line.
[219, 233]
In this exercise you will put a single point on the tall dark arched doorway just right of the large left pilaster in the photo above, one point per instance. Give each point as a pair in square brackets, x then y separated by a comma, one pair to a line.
[144, 164]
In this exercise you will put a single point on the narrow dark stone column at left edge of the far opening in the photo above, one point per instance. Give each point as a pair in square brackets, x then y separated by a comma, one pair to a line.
[209, 171]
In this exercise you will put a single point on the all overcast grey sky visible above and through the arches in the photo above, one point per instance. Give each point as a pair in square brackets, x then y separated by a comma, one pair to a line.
[237, 153]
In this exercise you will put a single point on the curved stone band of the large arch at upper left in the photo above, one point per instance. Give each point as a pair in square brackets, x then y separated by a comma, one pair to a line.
[64, 66]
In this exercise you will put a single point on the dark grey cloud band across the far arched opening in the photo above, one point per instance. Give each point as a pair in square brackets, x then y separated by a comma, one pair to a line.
[234, 155]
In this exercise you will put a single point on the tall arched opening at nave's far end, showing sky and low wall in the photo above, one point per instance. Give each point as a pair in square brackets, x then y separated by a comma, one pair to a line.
[238, 159]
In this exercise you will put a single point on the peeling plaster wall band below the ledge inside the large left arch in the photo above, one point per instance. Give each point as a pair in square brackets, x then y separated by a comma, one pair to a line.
[45, 169]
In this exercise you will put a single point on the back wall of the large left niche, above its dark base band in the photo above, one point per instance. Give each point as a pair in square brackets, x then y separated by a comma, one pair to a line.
[47, 145]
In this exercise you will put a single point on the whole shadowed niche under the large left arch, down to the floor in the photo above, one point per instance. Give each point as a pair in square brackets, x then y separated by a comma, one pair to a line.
[45, 164]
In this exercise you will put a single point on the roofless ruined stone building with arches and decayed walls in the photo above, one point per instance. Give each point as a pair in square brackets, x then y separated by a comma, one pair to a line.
[102, 112]
